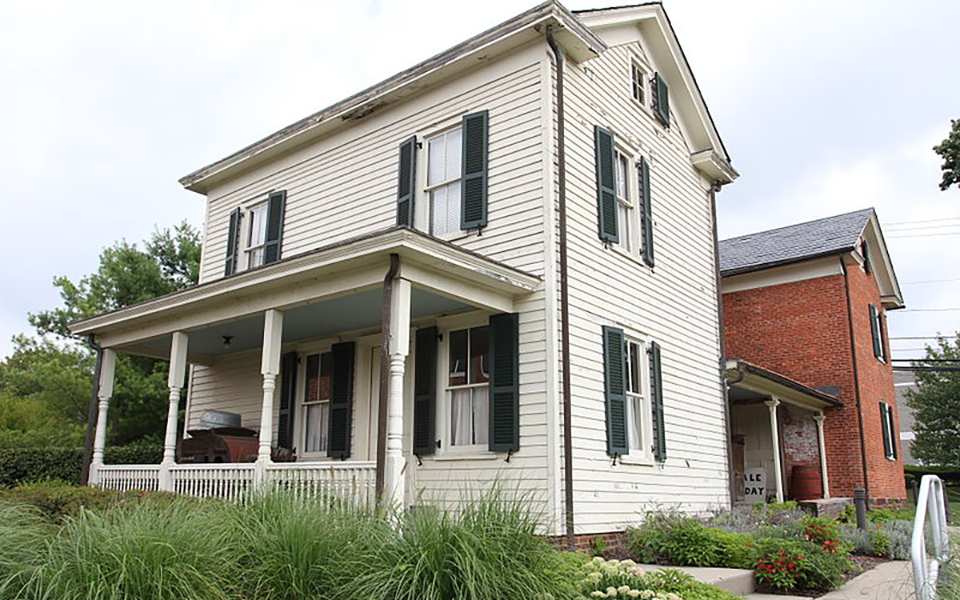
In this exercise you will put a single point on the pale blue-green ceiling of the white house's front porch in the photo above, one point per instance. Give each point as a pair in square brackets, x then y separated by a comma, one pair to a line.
[311, 321]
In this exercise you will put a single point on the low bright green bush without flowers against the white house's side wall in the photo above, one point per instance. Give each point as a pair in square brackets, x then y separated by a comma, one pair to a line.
[688, 542]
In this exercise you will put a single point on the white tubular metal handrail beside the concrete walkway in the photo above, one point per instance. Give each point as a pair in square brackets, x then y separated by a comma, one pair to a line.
[926, 567]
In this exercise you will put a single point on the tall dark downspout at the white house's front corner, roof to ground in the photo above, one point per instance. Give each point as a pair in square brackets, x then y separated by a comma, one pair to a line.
[564, 301]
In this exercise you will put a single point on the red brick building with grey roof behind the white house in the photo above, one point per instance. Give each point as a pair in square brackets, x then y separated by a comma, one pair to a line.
[808, 302]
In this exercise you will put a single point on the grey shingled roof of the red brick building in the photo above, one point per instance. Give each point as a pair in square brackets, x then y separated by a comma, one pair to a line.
[765, 249]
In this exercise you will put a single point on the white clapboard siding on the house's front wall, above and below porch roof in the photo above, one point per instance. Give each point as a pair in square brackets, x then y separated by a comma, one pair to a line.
[345, 186]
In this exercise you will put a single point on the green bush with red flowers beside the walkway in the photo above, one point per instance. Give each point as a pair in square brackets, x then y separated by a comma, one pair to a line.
[799, 565]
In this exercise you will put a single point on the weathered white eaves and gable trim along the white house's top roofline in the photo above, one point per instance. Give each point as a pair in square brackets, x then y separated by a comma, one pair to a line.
[574, 33]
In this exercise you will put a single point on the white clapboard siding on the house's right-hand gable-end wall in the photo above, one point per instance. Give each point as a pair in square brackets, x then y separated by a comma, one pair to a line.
[674, 304]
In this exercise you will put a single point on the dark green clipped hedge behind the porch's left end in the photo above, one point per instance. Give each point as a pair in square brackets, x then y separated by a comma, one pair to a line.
[27, 465]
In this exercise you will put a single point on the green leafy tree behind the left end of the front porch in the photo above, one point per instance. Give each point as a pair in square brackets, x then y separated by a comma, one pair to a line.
[56, 368]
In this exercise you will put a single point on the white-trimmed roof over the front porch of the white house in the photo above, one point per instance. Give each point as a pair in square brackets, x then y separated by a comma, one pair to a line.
[346, 277]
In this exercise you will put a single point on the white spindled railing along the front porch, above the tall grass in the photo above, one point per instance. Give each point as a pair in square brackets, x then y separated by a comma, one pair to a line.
[351, 481]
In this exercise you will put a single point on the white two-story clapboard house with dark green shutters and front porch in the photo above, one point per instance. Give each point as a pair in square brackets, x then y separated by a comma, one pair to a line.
[497, 265]
